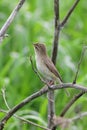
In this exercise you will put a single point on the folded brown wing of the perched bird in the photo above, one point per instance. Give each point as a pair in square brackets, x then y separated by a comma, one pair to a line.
[52, 67]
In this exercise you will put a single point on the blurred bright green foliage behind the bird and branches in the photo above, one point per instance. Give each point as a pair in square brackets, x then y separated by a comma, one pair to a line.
[35, 22]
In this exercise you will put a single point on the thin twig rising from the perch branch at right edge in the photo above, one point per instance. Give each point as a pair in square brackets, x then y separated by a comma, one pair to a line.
[79, 63]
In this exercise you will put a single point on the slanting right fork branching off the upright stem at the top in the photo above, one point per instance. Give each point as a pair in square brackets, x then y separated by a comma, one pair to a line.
[69, 13]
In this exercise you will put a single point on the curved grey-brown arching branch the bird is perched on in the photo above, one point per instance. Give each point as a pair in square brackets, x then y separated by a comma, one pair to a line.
[36, 95]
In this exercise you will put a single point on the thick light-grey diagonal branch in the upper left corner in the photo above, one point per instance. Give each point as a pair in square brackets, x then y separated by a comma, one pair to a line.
[10, 19]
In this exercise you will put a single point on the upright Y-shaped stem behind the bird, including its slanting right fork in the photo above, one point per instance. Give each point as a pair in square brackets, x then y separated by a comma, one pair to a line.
[58, 25]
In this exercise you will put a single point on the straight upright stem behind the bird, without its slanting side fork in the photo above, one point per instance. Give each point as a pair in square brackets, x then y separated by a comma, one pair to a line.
[51, 98]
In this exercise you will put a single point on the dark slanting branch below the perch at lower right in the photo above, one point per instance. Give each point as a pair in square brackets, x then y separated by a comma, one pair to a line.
[72, 101]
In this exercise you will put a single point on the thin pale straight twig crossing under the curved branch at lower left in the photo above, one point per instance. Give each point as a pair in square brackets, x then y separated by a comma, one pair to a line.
[26, 121]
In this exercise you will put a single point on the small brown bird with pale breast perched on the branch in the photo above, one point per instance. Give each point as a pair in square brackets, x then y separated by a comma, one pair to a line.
[44, 64]
